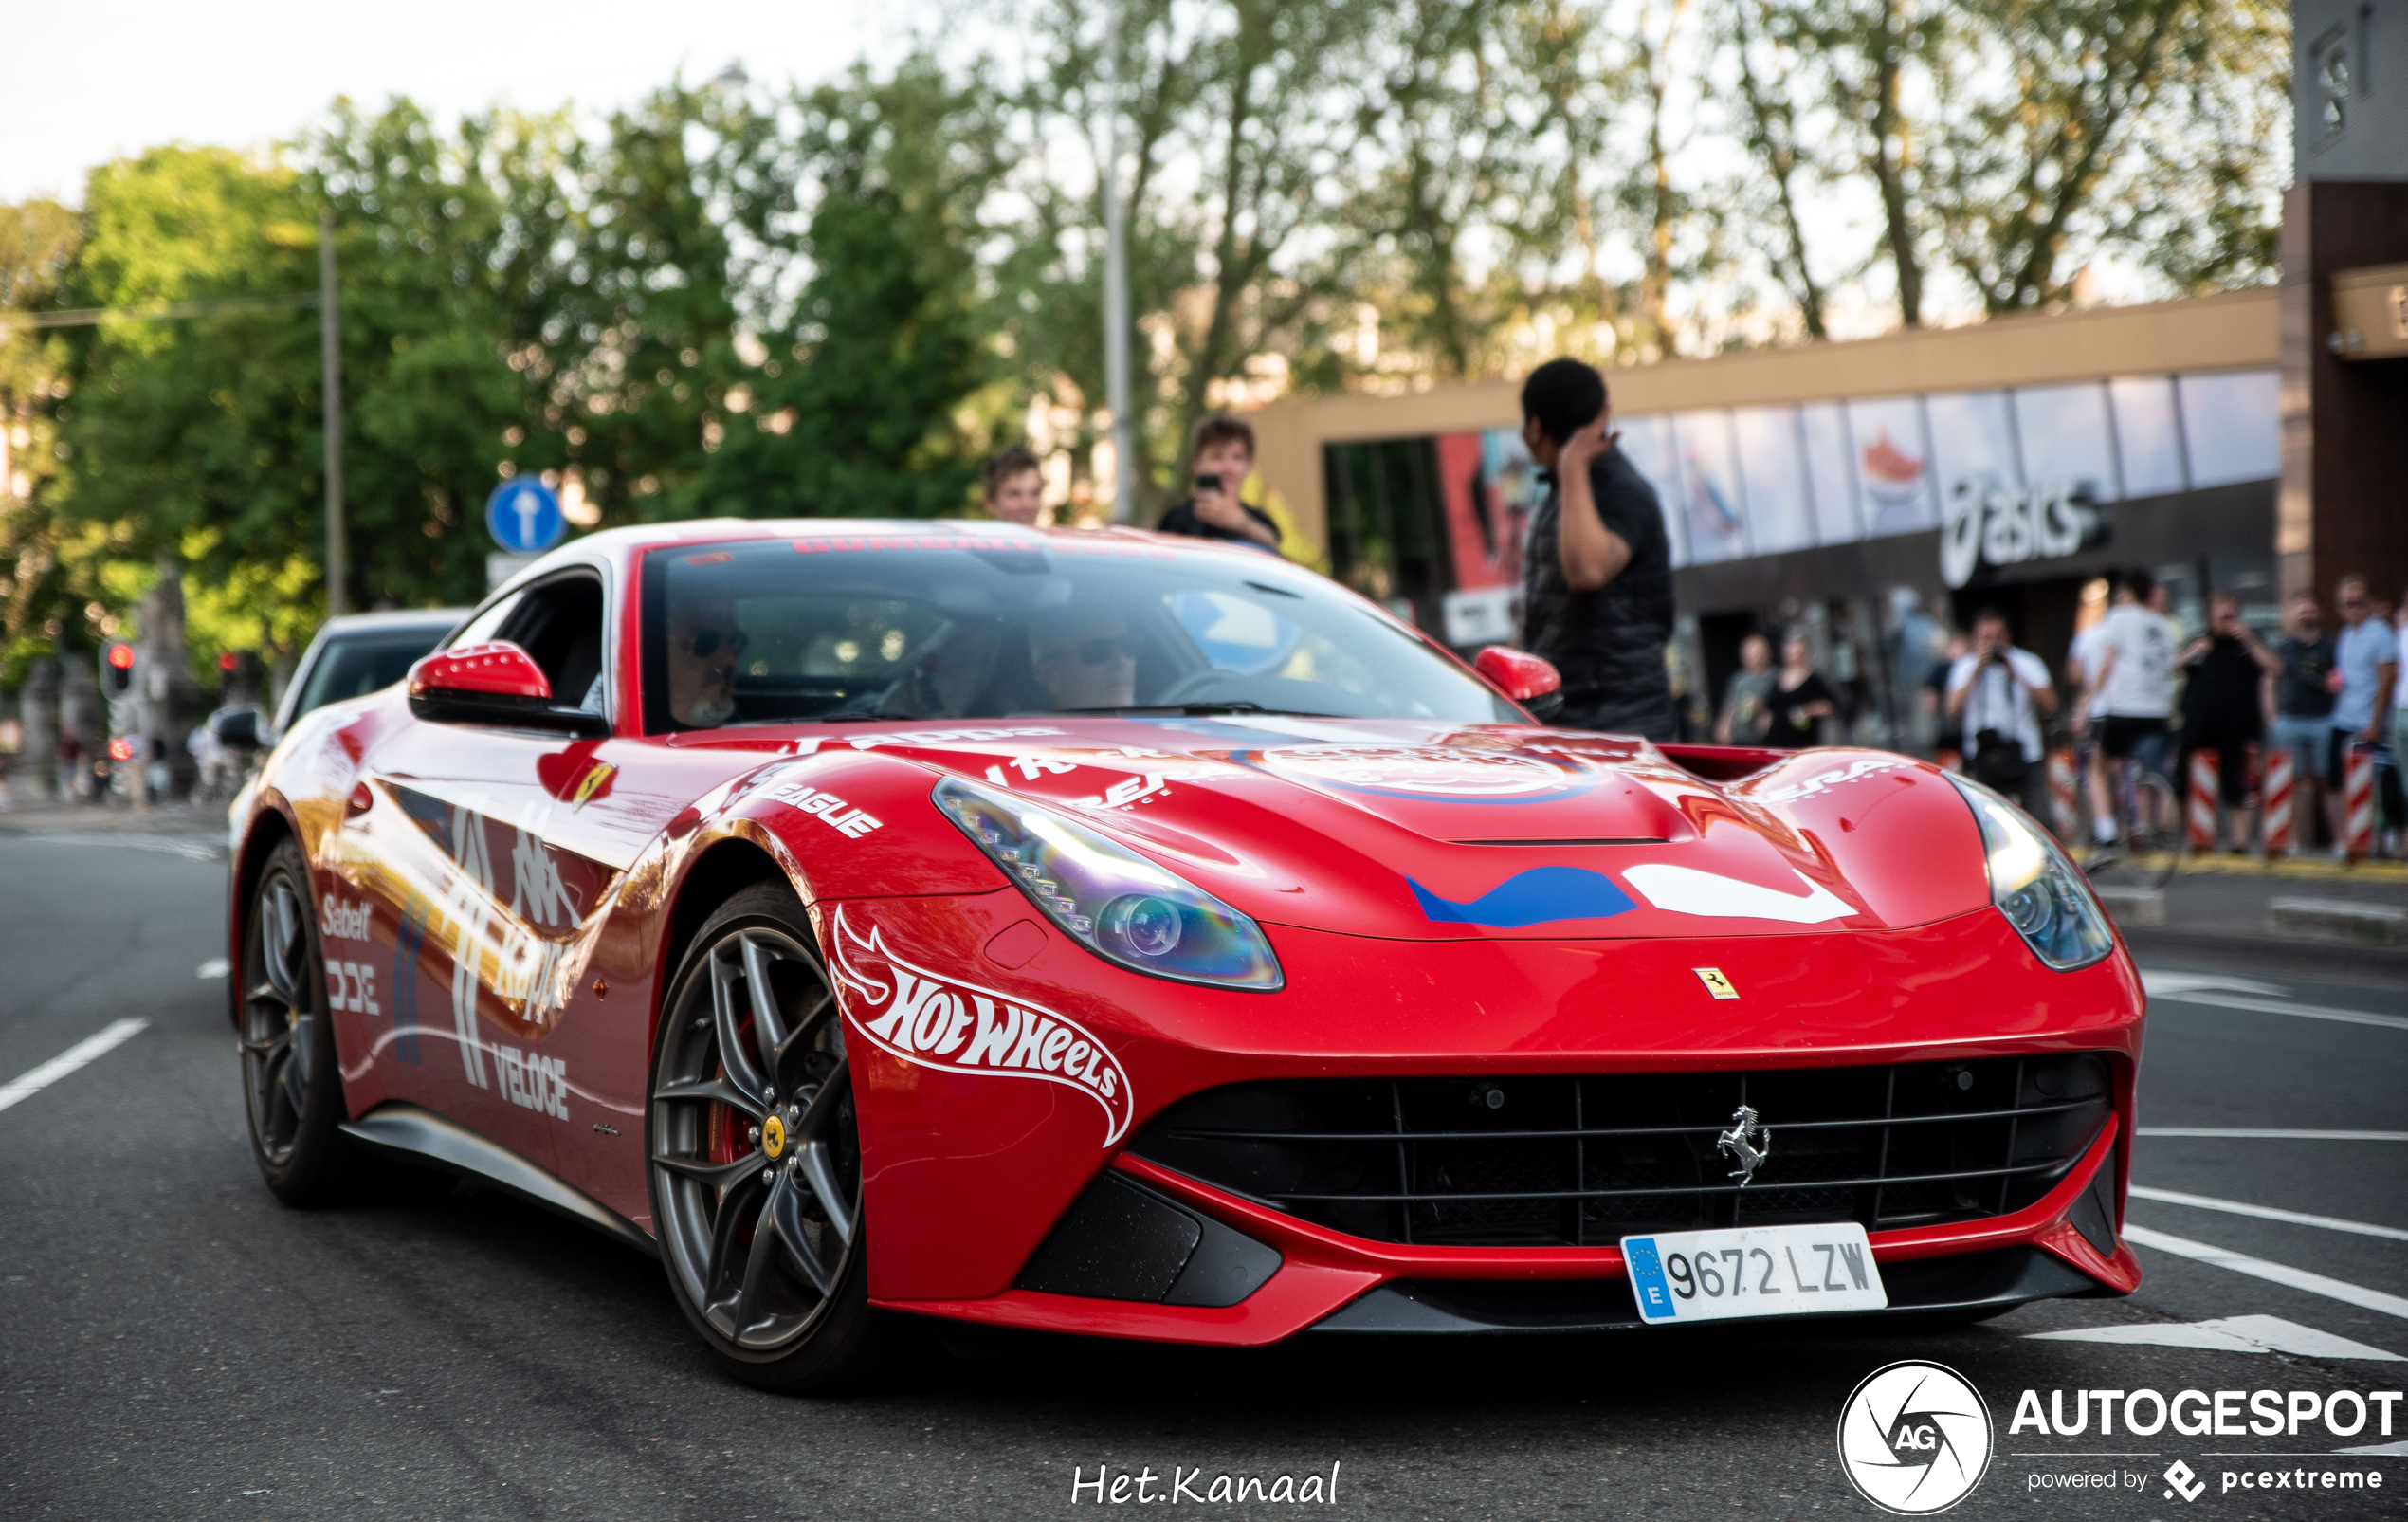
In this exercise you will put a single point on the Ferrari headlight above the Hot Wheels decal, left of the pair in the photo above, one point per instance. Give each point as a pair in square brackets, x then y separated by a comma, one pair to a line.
[1114, 902]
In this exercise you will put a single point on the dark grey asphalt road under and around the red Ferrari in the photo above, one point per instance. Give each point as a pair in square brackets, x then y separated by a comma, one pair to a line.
[177, 1345]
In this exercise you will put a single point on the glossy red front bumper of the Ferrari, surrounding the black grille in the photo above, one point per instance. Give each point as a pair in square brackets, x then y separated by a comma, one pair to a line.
[969, 1174]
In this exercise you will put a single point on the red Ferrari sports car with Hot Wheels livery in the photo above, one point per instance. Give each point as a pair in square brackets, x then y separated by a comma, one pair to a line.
[1143, 938]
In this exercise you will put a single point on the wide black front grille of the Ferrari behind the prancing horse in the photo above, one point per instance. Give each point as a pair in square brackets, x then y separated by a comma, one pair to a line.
[1578, 1162]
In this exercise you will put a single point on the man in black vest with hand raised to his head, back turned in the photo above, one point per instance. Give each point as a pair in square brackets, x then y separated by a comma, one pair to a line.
[1598, 567]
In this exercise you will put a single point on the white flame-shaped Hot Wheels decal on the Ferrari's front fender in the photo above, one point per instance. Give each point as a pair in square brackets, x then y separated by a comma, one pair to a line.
[960, 1027]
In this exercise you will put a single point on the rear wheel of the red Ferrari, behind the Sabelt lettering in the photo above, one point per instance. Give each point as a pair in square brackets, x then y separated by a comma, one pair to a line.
[293, 1085]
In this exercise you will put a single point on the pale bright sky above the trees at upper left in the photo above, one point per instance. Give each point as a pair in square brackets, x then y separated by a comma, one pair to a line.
[93, 81]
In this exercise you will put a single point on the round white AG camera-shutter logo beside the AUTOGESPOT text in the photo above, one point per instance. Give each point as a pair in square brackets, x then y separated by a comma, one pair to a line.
[1916, 1439]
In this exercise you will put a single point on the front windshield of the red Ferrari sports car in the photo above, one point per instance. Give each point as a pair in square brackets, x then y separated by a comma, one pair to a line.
[988, 627]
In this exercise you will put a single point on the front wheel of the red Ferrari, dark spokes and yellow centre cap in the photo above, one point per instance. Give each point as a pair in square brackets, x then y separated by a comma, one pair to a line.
[755, 1152]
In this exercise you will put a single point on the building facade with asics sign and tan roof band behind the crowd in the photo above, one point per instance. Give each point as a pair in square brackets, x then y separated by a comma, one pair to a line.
[1870, 495]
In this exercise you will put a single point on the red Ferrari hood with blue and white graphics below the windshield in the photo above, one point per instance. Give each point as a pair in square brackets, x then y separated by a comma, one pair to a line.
[1424, 830]
